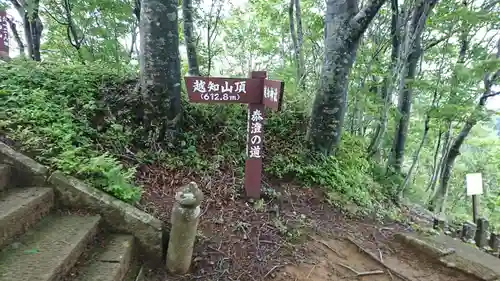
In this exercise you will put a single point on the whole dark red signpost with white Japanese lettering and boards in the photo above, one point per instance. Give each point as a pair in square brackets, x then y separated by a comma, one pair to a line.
[256, 91]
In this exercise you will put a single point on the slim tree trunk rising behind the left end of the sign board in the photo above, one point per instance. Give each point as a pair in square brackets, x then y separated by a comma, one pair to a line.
[189, 39]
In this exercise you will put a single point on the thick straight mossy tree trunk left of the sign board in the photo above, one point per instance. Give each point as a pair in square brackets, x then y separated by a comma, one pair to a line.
[160, 68]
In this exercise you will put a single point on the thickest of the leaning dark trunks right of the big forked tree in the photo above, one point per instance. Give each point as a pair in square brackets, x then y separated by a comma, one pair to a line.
[409, 69]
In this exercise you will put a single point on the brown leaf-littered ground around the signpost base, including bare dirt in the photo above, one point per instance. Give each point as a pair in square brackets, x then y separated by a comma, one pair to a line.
[295, 236]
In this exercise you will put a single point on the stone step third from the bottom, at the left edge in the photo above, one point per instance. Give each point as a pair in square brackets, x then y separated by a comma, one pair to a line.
[21, 208]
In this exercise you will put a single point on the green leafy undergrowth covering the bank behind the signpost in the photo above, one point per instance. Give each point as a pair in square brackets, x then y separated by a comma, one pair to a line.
[56, 112]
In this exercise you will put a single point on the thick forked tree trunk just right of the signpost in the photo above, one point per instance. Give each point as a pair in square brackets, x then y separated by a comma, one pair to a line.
[344, 26]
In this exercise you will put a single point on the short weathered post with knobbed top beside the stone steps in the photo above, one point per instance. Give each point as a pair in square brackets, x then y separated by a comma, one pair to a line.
[184, 218]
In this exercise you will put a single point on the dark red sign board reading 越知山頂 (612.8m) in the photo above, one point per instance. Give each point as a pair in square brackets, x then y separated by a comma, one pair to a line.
[223, 90]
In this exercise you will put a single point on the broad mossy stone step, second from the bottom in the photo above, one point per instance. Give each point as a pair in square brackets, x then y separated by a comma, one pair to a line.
[49, 250]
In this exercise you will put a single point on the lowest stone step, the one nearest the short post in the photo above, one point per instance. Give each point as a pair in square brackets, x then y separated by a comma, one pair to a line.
[114, 261]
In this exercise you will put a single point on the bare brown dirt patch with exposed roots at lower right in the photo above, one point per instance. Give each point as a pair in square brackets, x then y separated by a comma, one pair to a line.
[341, 259]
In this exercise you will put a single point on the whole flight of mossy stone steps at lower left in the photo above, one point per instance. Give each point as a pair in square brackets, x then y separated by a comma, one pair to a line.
[41, 240]
